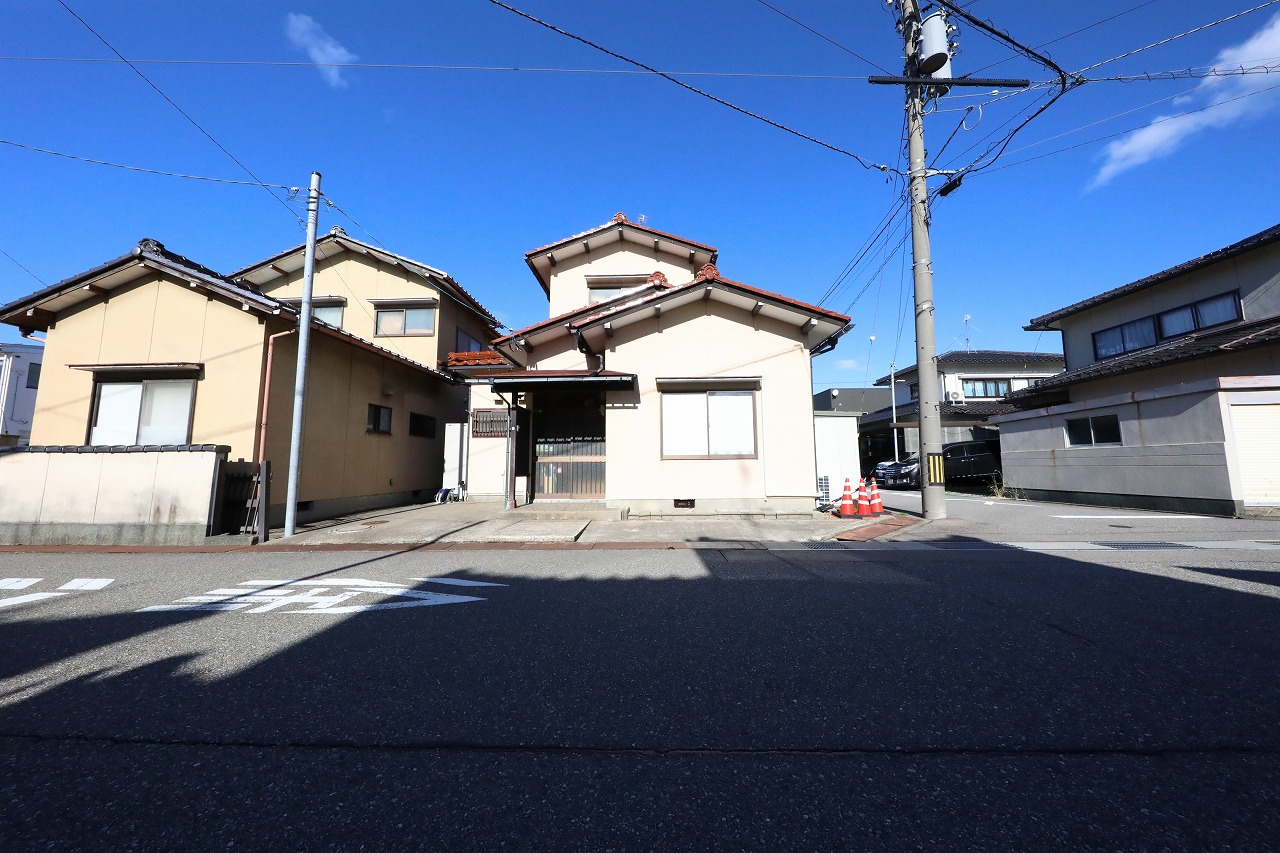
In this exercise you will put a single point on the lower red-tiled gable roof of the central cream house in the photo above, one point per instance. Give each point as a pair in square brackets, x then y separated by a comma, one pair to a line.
[817, 323]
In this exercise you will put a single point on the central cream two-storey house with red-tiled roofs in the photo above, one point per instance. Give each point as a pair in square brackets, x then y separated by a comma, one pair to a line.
[657, 385]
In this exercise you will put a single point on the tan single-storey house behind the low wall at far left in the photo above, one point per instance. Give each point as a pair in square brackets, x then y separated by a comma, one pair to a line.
[154, 350]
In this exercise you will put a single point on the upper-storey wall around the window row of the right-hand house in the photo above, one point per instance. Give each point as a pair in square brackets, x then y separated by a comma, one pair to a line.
[1256, 276]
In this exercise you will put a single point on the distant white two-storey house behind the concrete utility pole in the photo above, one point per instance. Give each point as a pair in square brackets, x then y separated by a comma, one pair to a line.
[971, 386]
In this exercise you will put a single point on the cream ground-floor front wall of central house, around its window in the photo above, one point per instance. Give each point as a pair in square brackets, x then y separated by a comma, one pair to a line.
[781, 478]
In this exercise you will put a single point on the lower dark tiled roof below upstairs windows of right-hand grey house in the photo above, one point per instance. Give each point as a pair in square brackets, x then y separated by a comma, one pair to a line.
[1197, 345]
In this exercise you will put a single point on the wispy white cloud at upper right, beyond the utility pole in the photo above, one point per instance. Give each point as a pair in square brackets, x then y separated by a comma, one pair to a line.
[1223, 95]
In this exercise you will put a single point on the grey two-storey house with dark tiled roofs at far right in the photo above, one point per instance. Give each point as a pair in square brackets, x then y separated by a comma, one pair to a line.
[1172, 393]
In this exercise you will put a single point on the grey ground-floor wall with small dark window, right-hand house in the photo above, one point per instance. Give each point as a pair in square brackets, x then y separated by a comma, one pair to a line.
[1176, 453]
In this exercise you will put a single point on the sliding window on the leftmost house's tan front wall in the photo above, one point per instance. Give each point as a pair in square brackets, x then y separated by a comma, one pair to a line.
[152, 412]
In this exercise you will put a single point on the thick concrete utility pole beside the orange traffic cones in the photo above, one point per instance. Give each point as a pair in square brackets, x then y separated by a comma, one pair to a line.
[934, 491]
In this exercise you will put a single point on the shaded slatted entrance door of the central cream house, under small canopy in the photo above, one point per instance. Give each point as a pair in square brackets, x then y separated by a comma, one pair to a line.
[569, 446]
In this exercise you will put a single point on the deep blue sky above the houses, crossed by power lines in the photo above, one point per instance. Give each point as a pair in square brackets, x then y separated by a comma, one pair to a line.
[467, 170]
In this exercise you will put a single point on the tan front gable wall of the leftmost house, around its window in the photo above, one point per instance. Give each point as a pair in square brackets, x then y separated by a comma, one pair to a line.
[156, 321]
